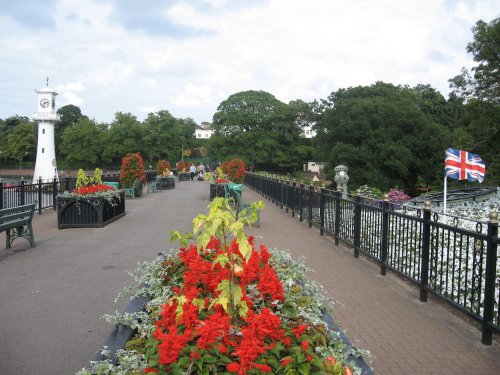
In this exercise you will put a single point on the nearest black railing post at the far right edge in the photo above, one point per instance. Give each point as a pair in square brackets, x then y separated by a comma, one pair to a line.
[490, 278]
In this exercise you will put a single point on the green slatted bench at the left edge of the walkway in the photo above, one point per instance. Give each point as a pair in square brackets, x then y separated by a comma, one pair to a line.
[16, 223]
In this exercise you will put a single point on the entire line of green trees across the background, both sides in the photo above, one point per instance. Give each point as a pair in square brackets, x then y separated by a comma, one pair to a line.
[387, 135]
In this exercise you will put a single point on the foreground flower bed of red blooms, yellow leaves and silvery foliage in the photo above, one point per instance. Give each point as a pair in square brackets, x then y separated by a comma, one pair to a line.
[220, 305]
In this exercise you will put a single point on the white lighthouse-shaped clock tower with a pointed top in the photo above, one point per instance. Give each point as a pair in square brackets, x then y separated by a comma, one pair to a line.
[46, 116]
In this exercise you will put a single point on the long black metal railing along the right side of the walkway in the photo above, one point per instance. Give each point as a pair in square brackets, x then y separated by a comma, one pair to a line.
[457, 264]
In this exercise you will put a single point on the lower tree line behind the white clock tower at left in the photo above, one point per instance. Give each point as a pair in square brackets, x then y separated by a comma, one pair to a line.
[80, 140]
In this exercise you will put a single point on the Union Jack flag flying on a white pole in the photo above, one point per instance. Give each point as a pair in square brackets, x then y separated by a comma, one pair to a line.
[462, 165]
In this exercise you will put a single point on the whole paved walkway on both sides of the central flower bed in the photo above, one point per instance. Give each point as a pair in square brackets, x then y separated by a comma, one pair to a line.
[52, 297]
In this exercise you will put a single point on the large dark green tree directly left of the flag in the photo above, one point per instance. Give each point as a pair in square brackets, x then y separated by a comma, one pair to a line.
[382, 136]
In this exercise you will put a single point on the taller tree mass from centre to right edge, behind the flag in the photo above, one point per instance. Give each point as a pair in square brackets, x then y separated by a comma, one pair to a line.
[389, 136]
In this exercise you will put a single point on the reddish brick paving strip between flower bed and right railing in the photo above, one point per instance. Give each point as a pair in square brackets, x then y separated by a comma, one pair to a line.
[381, 314]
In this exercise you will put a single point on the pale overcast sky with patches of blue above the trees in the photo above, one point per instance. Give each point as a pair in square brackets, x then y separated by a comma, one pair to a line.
[108, 56]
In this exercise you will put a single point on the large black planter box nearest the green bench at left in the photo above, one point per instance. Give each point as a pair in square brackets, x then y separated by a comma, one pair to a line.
[89, 212]
